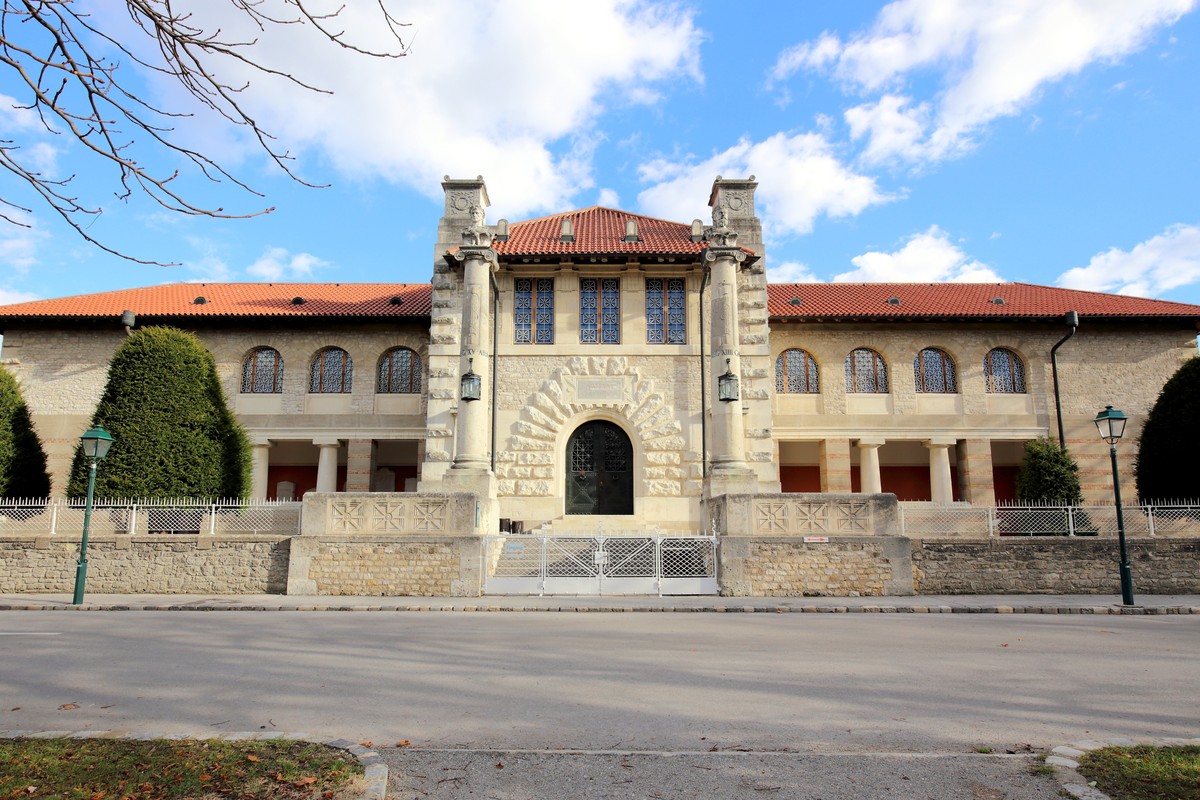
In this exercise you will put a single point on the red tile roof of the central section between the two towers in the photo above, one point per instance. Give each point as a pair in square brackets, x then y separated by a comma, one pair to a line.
[599, 232]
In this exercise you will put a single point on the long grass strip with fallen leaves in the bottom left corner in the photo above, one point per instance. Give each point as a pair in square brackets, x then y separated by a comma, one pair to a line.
[117, 769]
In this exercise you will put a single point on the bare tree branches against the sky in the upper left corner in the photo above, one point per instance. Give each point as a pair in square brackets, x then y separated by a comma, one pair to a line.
[59, 59]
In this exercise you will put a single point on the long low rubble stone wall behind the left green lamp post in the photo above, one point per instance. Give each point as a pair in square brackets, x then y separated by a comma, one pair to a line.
[171, 564]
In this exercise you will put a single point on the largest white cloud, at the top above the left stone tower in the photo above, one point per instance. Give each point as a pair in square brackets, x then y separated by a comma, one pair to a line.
[500, 88]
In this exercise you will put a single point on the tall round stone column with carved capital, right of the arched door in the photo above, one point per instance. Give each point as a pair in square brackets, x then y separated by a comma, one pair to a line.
[730, 473]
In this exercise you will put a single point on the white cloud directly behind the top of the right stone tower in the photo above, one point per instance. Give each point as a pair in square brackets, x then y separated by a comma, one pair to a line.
[805, 181]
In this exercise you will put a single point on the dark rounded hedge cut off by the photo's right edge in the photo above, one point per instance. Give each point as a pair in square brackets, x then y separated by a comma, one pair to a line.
[1171, 441]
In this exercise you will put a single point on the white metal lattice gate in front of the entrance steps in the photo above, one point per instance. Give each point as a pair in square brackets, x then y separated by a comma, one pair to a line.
[601, 566]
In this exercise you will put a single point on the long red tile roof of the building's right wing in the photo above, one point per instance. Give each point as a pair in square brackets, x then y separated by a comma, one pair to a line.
[958, 300]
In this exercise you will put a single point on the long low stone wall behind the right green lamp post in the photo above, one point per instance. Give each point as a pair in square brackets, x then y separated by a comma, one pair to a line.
[1054, 566]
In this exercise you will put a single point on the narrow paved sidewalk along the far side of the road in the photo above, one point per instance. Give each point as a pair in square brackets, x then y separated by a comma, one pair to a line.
[919, 604]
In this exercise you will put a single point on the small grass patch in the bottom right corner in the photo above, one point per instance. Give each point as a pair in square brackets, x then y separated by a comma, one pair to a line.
[1145, 773]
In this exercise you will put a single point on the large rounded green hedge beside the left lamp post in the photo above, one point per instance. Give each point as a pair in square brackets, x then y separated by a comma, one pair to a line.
[175, 435]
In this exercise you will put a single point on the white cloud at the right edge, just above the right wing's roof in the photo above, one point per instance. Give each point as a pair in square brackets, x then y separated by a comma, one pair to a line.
[1166, 262]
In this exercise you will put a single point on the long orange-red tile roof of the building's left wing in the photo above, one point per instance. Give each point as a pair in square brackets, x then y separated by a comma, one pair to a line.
[219, 300]
